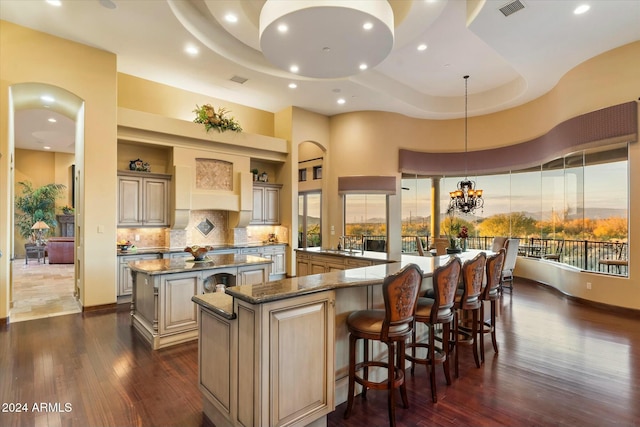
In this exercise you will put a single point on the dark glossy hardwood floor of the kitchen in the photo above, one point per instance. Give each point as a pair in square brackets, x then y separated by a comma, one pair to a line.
[561, 363]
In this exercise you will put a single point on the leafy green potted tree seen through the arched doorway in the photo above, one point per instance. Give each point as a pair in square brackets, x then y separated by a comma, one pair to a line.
[36, 204]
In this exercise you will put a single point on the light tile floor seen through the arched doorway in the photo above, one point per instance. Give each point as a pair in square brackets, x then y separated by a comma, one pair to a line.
[42, 290]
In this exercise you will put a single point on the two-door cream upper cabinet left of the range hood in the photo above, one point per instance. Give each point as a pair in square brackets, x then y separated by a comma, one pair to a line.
[143, 199]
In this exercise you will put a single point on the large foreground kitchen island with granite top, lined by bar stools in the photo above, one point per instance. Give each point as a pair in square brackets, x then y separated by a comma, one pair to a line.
[277, 353]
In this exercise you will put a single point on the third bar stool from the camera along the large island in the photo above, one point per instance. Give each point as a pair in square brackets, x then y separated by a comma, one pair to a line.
[468, 304]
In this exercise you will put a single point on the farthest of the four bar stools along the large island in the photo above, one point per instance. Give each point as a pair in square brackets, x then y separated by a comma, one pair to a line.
[491, 293]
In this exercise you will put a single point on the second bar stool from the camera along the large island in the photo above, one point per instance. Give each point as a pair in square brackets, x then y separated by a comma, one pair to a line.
[437, 311]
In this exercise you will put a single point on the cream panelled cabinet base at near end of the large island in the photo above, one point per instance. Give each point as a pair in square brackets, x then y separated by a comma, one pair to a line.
[264, 368]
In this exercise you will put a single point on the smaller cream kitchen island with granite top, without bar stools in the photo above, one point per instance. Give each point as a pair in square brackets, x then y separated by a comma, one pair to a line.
[161, 307]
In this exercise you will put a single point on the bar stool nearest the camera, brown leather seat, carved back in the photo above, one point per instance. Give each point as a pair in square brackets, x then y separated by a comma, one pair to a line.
[392, 326]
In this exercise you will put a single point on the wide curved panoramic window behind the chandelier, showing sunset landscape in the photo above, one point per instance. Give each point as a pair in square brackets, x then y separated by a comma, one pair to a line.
[580, 199]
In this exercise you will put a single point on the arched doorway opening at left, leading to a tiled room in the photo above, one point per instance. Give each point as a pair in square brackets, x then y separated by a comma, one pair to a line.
[45, 131]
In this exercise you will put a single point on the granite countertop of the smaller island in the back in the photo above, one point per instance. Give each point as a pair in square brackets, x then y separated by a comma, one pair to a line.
[181, 265]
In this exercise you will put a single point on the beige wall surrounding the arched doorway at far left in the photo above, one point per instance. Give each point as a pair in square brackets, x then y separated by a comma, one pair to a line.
[31, 56]
